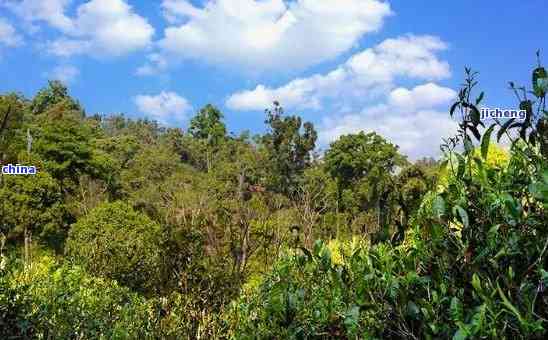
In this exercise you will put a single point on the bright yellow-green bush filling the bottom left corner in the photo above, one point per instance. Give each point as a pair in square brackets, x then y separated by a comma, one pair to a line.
[61, 302]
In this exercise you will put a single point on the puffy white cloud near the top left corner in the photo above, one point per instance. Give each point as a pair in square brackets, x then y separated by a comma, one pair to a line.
[100, 27]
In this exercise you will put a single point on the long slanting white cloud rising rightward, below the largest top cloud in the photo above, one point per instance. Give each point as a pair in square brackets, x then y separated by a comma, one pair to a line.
[364, 76]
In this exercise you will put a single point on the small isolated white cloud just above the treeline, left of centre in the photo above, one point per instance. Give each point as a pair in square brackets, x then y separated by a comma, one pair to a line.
[164, 107]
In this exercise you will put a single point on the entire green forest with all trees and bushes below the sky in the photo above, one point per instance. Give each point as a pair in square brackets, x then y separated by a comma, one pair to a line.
[133, 230]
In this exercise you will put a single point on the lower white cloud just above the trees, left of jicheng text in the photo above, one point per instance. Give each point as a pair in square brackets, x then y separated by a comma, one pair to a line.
[416, 125]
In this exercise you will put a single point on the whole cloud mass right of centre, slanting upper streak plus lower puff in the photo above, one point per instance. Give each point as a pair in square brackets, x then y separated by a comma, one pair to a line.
[363, 94]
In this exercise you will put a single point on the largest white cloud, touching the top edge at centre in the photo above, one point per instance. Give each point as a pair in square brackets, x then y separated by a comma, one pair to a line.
[268, 34]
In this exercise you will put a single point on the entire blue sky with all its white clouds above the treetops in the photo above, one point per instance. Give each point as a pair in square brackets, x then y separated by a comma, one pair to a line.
[346, 65]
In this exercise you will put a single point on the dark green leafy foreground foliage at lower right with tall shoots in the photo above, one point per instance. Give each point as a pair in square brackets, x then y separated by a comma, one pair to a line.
[471, 266]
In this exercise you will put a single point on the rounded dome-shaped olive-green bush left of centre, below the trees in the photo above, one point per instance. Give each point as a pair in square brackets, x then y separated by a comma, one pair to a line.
[117, 242]
